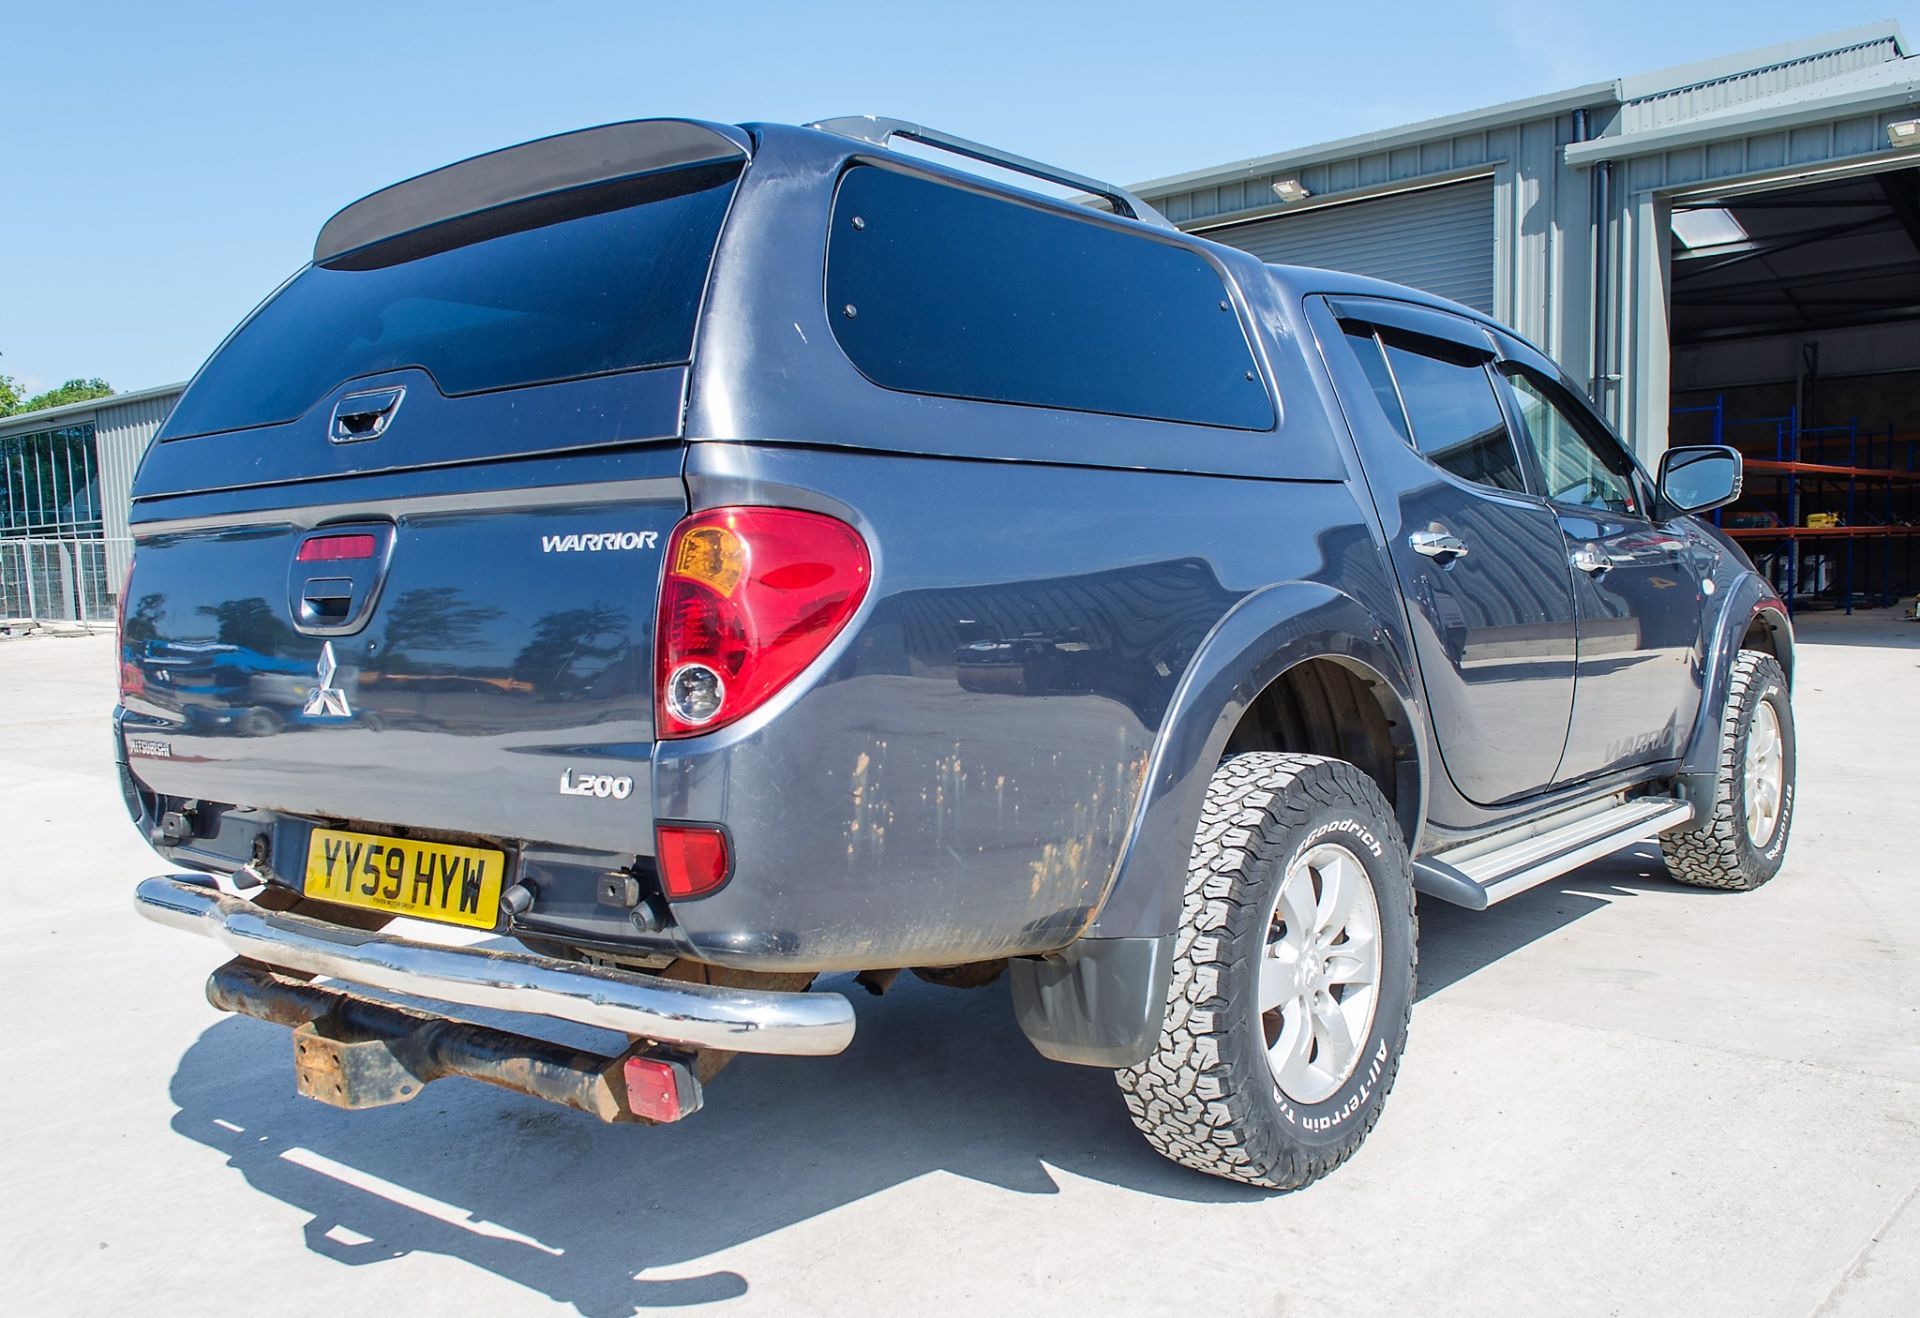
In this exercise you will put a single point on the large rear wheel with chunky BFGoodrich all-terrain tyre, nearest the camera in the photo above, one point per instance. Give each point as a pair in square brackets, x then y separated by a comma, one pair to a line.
[1293, 977]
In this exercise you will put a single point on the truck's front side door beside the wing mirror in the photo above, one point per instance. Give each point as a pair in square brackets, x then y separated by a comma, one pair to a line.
[1637, 591]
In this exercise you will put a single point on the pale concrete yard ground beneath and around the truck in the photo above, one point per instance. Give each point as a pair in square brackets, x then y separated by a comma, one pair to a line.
[1620, 1098]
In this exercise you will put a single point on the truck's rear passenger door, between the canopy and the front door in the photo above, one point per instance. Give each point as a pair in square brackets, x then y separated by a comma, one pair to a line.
[1479, 558]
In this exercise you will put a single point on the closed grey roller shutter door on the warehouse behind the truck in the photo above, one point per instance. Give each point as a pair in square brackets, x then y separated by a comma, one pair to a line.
[1435, 239]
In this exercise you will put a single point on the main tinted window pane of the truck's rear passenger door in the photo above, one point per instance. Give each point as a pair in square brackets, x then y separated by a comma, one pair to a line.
[1452, 408]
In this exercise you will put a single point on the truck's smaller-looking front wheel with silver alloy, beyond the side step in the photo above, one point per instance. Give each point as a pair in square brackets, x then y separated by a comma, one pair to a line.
[1744, 841]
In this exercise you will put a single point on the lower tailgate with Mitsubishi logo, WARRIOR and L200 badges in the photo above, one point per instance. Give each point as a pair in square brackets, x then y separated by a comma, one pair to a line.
[506, 656]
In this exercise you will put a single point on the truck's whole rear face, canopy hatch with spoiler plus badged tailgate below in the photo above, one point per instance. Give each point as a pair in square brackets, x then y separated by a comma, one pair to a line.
[398, 549]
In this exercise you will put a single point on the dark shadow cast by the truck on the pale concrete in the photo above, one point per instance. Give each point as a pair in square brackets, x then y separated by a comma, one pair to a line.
[612, 1219]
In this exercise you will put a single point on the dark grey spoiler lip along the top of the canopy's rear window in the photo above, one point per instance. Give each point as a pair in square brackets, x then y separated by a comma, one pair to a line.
[531, 170]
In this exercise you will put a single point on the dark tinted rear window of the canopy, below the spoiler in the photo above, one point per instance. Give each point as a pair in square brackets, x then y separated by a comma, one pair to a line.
[552, 289]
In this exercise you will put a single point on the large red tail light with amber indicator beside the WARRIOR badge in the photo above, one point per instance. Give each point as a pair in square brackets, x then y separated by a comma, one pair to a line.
[752, 597]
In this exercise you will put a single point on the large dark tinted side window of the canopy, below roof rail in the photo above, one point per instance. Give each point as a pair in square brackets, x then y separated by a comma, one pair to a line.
[936, 289]
